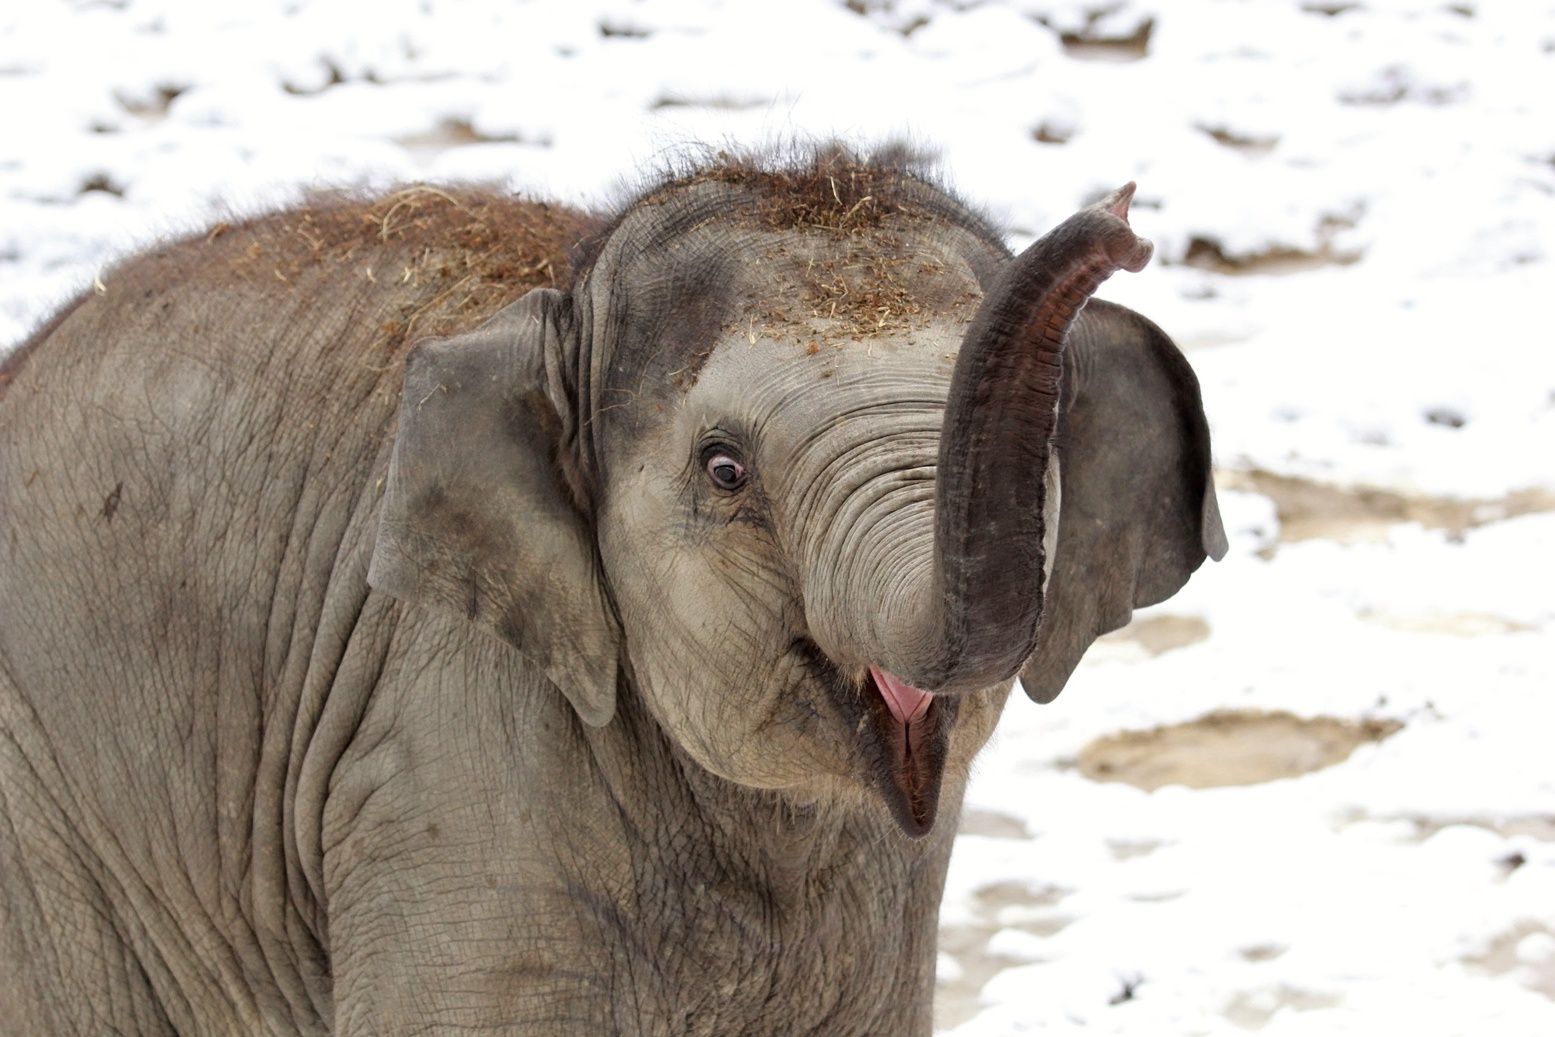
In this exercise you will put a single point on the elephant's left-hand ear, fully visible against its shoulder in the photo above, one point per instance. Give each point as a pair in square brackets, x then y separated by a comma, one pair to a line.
[478, 512]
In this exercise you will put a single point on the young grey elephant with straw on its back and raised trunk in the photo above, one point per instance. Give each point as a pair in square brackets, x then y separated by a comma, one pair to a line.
[444, 612]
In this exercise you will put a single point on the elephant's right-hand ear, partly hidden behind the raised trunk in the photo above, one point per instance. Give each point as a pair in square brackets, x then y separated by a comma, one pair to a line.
[1137, 511]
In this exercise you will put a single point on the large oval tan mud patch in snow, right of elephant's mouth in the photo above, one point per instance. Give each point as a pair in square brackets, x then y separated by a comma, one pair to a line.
[1229, 749]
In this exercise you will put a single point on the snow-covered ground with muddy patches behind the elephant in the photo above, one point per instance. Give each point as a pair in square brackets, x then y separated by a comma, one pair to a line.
[1354, 204]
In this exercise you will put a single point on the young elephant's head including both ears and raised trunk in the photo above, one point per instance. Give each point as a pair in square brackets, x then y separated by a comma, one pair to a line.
[808, 463]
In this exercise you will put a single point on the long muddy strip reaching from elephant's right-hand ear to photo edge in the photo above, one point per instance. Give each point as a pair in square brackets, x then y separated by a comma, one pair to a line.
[1310, 511]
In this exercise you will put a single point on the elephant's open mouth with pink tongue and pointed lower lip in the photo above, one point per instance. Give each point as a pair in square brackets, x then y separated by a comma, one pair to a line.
[907, 739]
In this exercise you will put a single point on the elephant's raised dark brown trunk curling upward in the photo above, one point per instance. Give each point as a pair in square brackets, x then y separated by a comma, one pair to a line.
[974, 620]
